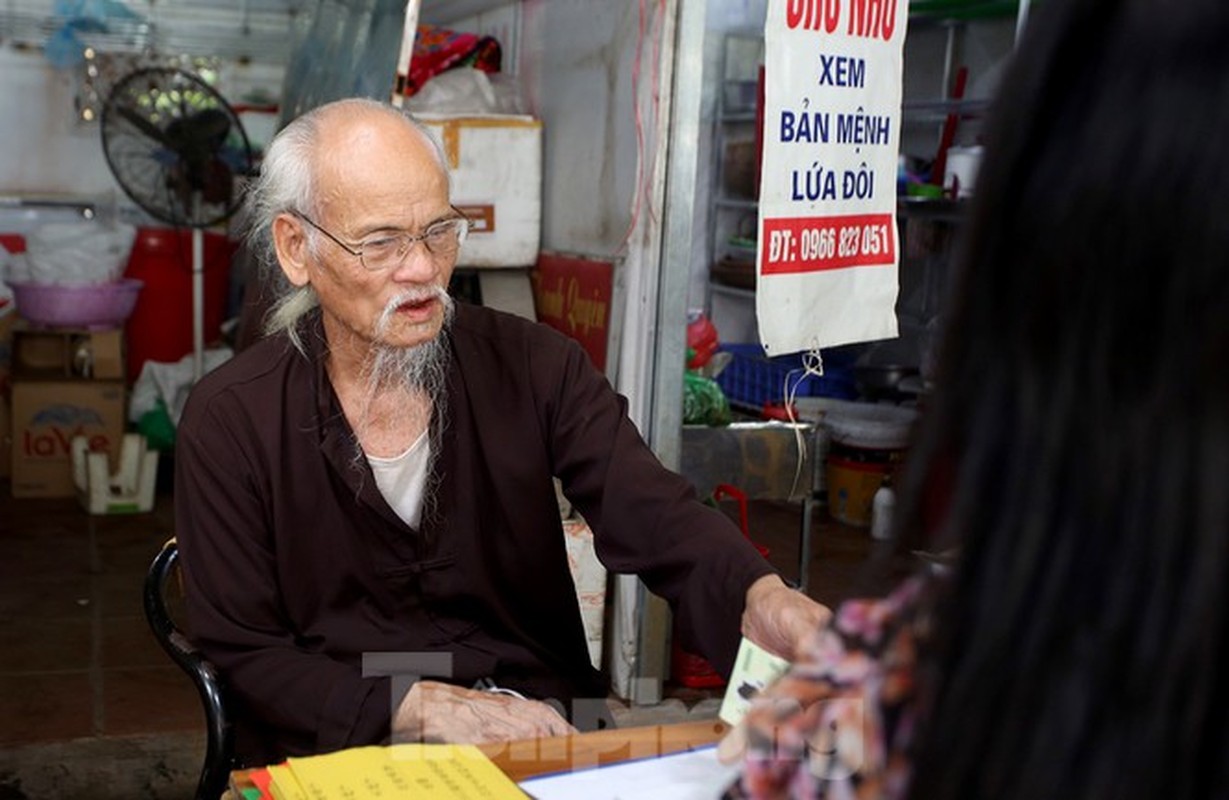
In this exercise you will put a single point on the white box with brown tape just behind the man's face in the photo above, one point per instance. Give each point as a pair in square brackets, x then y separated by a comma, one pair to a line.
[497, 182]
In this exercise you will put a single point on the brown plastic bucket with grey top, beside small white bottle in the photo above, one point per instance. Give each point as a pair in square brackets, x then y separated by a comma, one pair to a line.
[866, 444]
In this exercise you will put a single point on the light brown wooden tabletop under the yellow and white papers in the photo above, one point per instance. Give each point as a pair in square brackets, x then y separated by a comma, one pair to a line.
[530, 758]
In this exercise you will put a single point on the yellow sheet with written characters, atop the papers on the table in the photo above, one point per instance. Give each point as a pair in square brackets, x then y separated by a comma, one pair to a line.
[449, 772]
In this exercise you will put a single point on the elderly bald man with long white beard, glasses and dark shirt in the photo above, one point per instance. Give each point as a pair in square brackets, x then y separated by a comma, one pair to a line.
[369, 488]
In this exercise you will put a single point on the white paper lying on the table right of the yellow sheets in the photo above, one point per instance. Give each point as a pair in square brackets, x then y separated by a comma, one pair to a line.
[695, 775]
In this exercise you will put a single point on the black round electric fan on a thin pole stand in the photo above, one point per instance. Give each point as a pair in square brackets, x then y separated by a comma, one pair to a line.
[176, 148]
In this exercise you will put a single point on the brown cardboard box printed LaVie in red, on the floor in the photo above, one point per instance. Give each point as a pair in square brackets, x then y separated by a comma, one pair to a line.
[47, 416]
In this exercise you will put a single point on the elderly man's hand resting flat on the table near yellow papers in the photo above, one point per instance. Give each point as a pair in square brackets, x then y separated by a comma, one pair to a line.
[434, 712]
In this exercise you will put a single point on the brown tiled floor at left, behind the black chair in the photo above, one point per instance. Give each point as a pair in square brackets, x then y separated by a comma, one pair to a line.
[77, 658]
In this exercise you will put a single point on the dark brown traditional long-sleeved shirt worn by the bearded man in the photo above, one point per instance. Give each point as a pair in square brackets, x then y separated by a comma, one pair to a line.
[297, 567]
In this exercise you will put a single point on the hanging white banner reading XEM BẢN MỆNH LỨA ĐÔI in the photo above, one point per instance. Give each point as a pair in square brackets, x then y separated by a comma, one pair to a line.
[828, 250]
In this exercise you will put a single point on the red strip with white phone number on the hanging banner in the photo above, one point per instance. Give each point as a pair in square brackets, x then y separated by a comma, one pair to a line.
[804, 245]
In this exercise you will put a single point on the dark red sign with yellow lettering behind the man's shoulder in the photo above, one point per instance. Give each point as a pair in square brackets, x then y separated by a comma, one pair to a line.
[573, 296]
